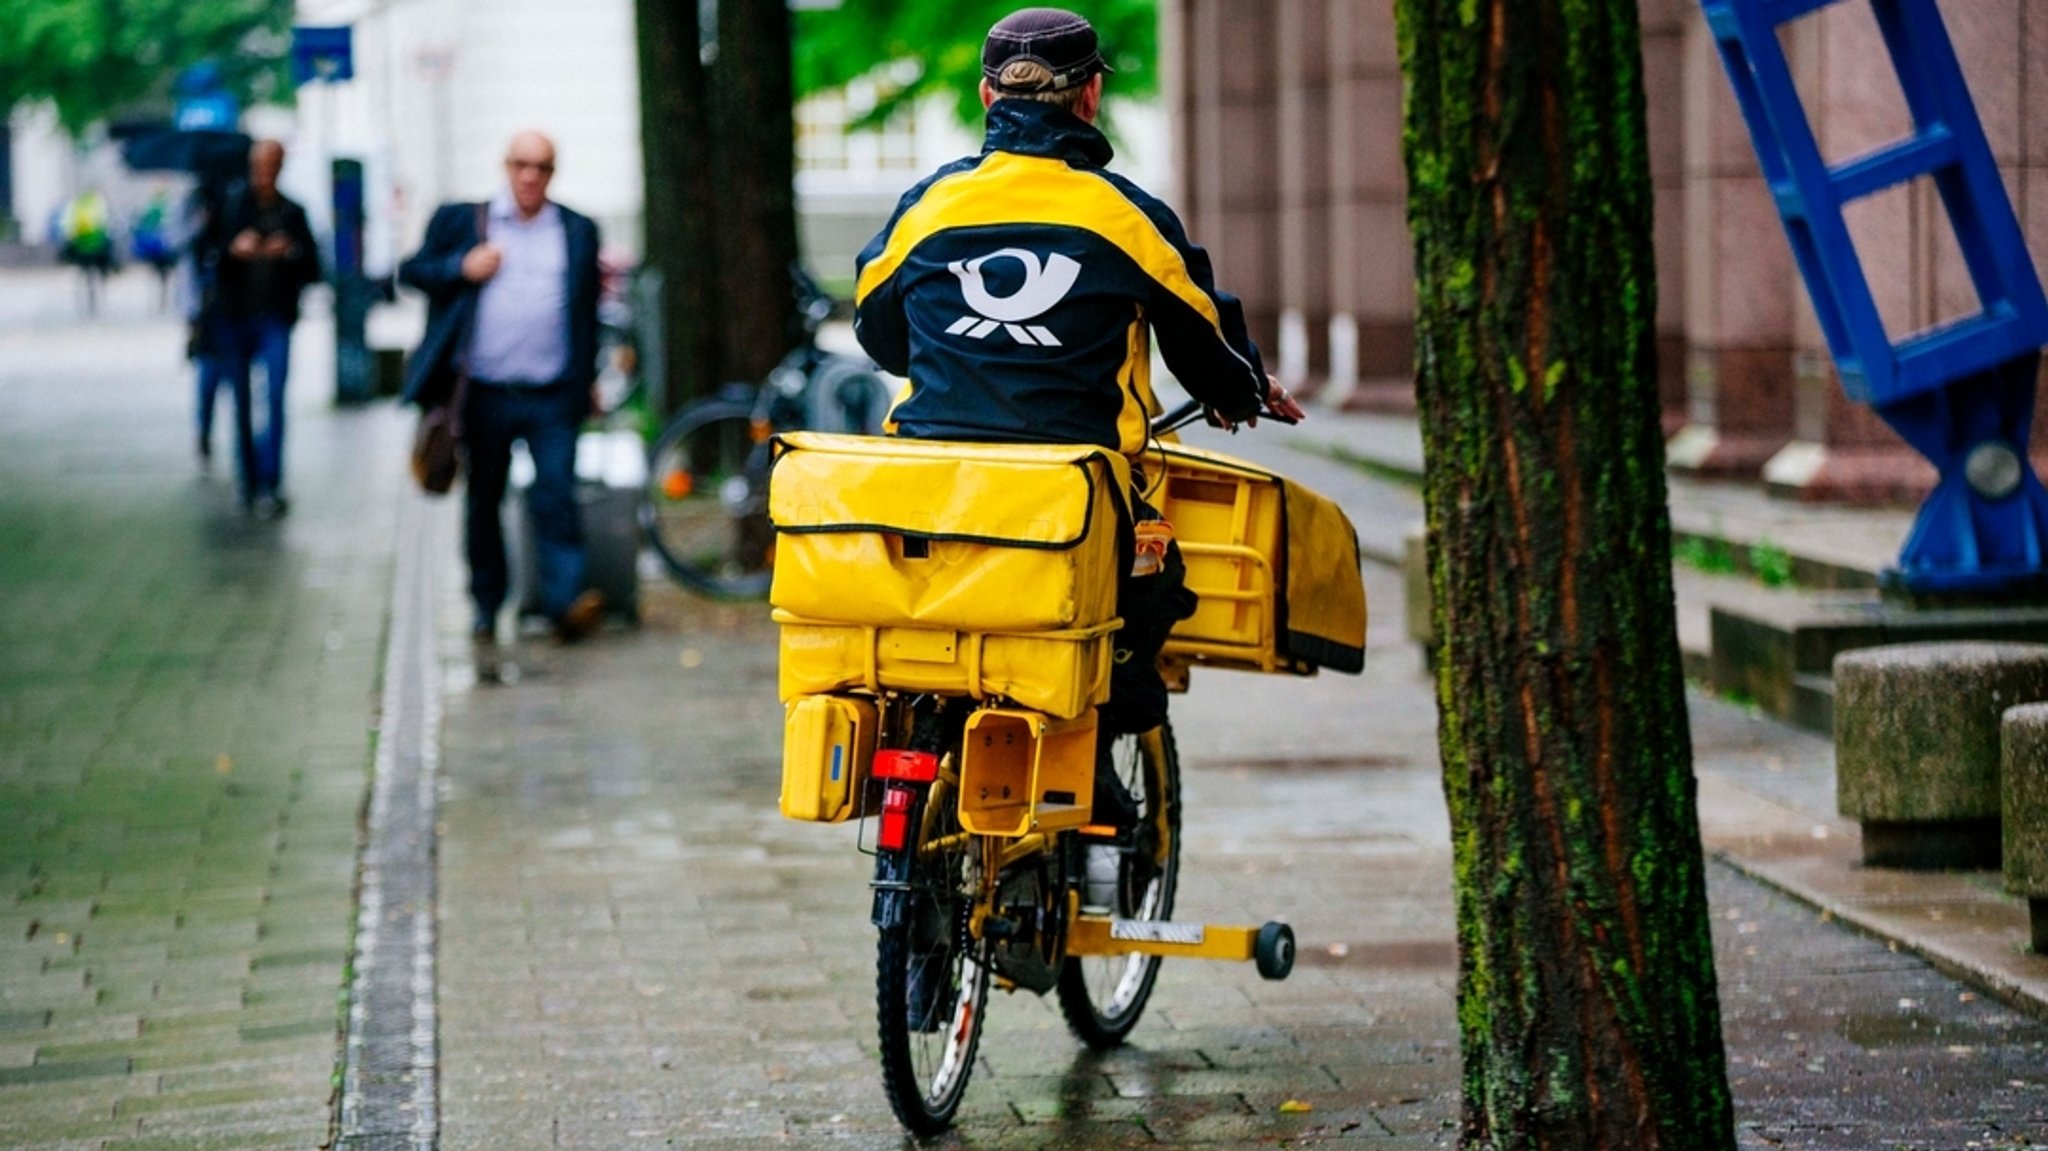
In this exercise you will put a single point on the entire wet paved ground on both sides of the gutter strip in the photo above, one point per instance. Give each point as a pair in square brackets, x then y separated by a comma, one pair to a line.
[634, 947]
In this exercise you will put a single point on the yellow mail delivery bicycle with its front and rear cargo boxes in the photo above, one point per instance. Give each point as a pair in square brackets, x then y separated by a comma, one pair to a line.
[945, 638]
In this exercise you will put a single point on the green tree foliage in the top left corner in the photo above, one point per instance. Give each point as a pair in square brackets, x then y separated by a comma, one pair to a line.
[101, 58]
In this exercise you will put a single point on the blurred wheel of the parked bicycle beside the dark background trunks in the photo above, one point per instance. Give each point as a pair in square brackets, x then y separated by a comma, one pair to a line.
[708, 501]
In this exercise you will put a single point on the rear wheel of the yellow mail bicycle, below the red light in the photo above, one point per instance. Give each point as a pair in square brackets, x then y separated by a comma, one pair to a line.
[933, 976]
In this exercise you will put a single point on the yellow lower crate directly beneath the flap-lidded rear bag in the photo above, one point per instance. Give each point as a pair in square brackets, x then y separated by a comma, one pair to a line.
[1058, 673]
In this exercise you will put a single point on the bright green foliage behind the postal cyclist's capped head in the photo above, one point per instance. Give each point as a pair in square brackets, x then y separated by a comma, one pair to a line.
[941, 42]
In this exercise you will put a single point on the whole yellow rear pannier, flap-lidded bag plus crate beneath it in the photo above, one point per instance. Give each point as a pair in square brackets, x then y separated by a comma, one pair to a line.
[947, 566]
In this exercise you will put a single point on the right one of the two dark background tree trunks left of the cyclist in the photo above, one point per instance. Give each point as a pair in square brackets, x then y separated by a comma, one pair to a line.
[757, 175]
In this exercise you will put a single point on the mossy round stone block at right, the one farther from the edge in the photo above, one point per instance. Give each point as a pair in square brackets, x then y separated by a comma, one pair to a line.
[1918, 747]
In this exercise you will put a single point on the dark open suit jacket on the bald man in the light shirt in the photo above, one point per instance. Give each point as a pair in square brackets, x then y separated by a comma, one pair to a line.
[452, 302]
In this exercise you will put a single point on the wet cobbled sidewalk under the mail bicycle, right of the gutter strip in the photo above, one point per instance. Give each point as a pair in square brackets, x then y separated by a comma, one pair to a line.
[640, 953]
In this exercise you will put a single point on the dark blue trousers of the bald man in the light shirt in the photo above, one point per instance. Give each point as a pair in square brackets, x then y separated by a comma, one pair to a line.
[548, 421]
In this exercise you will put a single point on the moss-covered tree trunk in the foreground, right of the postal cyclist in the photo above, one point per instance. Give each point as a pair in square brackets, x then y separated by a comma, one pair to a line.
[1586, 978]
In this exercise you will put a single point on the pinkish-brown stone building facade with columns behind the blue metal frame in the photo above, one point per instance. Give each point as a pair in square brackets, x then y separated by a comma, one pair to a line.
[1289, 126]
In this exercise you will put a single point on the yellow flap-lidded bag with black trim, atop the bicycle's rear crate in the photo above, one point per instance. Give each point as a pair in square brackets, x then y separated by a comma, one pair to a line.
[964, 538]
